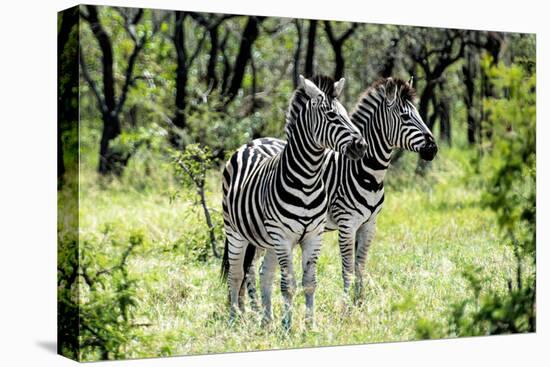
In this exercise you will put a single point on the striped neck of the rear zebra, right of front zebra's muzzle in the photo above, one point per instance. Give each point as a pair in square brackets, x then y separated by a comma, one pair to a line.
[370, 118]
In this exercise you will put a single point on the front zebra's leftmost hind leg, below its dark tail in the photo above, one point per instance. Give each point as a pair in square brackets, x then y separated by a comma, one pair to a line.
[235, 274]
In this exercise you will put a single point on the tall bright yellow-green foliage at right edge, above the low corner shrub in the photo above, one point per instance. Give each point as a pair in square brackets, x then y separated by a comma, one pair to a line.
[512, 160]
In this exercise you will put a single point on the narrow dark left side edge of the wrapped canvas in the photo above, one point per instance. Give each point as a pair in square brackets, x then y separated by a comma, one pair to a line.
[67, 182]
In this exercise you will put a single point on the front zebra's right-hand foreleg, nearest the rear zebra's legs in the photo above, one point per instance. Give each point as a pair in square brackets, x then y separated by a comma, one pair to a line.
[310, 253]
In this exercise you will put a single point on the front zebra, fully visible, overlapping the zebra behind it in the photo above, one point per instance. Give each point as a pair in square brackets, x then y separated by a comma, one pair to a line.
[276, 200]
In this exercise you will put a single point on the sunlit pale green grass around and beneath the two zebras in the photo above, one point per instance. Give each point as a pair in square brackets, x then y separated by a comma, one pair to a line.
[429, 231]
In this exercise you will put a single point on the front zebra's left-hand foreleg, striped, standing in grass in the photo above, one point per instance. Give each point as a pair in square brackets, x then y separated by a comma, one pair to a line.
[288, 282]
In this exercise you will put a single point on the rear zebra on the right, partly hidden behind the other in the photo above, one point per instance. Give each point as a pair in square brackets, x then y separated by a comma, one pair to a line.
[388, 119]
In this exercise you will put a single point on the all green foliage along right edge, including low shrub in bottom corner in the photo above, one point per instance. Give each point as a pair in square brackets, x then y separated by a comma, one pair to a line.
[510, 167]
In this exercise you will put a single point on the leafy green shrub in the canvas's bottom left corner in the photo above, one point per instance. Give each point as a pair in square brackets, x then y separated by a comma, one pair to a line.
[97, 295]
